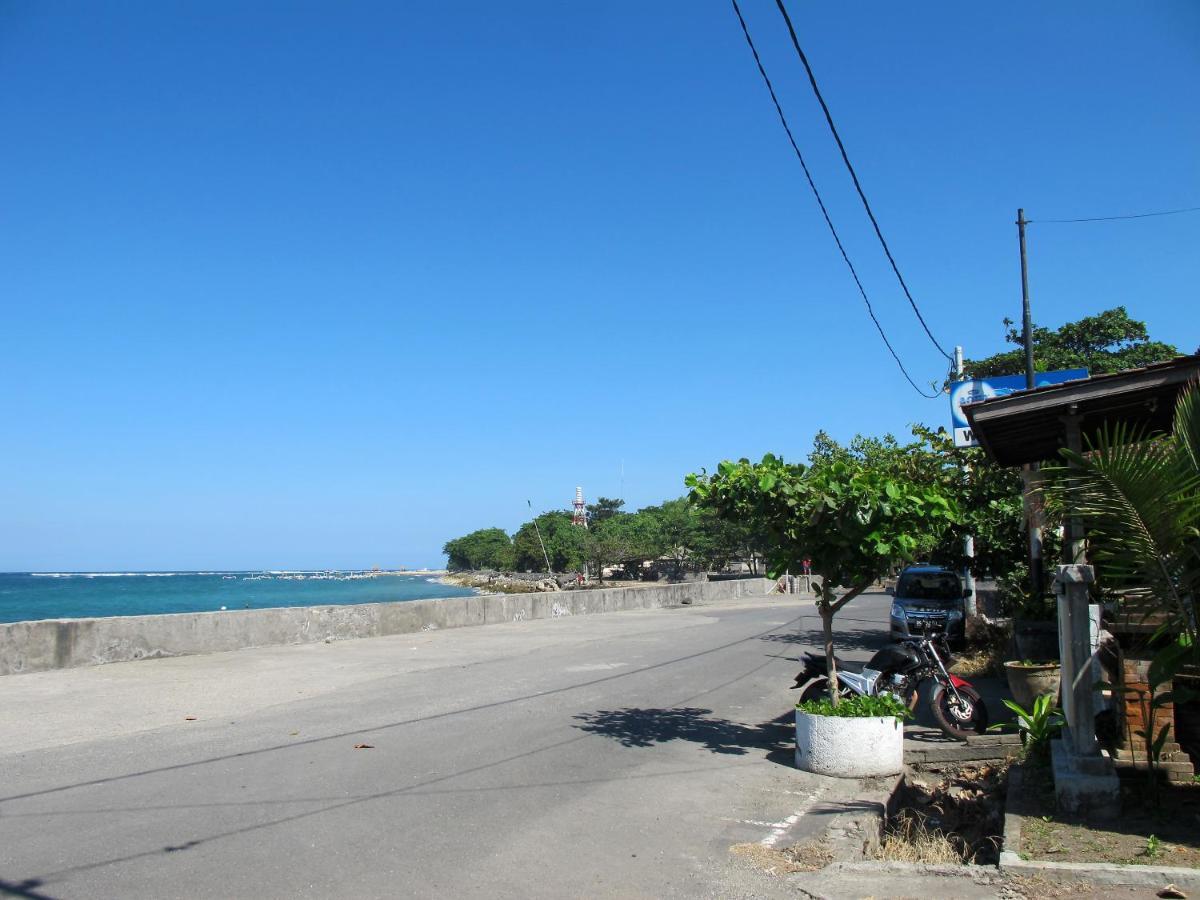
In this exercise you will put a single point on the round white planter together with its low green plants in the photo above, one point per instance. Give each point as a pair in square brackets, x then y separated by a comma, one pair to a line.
[860, 737]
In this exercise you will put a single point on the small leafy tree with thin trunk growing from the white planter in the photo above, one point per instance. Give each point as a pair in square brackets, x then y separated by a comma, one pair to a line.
[853, 520]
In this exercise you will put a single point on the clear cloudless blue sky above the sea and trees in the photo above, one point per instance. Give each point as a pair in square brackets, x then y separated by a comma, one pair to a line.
[325, 285]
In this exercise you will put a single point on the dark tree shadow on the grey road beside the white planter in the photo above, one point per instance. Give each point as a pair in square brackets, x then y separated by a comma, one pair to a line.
[638, 728]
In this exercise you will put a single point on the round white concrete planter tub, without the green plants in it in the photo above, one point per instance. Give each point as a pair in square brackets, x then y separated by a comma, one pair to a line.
[849, 748]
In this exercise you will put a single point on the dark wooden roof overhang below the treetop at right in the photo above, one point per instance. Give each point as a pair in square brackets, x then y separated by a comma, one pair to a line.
[1028, 427]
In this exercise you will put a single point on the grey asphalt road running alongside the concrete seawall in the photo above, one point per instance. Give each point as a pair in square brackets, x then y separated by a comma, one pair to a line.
[615, 755]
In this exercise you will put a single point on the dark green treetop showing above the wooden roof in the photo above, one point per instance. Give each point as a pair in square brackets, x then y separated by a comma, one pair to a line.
[1109, 343]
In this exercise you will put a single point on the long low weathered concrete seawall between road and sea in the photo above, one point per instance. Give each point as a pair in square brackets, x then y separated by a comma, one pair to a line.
[65, 644]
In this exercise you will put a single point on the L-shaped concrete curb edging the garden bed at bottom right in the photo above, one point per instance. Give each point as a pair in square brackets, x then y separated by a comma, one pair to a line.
[1115, 874]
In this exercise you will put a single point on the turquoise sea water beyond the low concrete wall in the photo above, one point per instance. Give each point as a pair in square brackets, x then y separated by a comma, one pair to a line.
[69, 596]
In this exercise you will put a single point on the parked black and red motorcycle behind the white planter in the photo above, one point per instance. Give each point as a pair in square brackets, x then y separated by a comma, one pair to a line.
[899, 670]
